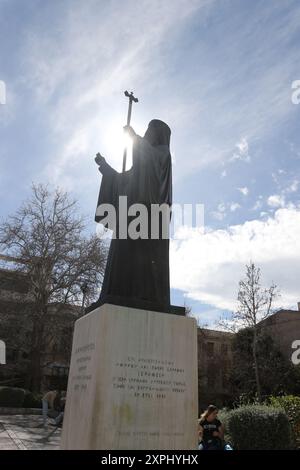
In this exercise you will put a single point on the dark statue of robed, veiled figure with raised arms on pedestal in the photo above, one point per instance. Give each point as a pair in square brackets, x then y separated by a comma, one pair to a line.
[137, 270]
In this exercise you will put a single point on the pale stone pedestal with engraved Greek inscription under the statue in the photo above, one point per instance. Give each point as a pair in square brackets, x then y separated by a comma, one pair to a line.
[132, 382]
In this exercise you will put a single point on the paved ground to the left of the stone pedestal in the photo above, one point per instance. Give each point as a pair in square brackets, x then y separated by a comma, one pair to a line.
[26, 432]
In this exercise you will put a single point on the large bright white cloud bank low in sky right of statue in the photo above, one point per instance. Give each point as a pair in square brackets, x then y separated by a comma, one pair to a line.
[208, 267]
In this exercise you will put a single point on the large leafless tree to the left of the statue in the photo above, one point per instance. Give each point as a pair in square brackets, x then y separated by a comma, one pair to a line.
[46, 234]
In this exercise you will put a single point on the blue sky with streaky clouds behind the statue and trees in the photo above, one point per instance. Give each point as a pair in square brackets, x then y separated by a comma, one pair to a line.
[218, 72]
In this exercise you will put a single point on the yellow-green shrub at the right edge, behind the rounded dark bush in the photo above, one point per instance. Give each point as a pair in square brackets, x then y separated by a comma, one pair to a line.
[291, 406]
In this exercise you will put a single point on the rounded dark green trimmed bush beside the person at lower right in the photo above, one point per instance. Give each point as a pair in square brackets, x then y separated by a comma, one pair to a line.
[258, 427]
